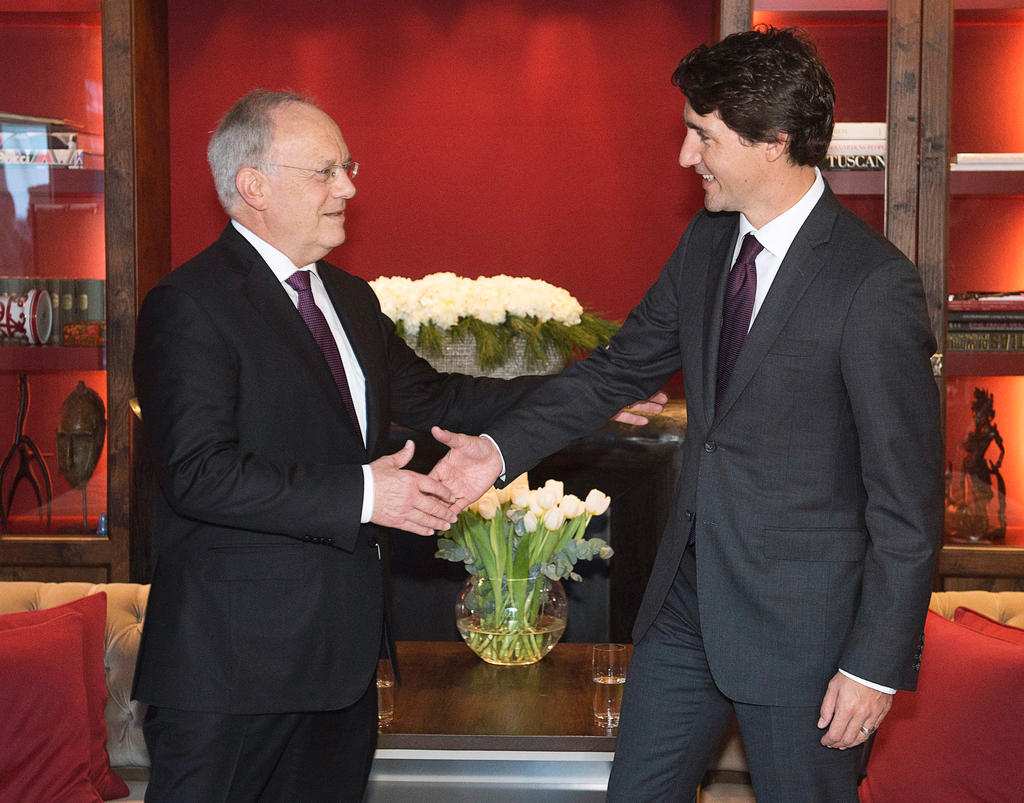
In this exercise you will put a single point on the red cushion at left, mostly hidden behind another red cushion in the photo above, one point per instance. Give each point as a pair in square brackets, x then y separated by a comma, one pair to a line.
[94, 612]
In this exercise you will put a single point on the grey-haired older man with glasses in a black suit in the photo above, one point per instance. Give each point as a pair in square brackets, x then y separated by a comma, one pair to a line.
[268, 381]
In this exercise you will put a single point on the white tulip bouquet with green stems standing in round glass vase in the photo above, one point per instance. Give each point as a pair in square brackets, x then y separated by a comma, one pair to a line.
[513, 540]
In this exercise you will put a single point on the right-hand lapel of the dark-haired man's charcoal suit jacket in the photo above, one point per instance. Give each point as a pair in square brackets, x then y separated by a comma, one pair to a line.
[802, 264]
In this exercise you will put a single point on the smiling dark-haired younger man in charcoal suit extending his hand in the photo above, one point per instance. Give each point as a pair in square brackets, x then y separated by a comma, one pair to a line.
[792, 582]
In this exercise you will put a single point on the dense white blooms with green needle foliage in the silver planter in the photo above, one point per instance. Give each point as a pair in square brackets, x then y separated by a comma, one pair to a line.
[444, 308]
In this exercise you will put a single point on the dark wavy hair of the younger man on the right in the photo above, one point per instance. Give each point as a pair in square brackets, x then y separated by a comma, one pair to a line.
[764, 83]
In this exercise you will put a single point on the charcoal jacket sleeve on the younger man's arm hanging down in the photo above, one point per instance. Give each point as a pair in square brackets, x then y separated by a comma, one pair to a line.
[886, 348]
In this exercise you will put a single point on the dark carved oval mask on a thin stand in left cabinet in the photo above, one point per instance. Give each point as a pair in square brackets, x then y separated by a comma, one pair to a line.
[81, 432]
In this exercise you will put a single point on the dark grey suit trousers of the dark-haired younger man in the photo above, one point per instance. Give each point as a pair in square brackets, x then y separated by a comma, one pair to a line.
[673, 717]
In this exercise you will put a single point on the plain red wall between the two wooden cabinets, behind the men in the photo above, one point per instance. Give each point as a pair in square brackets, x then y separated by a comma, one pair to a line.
[532, 139]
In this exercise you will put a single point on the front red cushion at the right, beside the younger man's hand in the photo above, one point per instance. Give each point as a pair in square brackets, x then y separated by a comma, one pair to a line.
[959, 738]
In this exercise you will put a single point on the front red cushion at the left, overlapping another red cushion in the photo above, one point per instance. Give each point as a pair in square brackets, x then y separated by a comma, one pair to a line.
[44, 755]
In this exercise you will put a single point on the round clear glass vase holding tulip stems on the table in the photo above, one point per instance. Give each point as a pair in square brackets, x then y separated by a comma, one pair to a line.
[513, 623]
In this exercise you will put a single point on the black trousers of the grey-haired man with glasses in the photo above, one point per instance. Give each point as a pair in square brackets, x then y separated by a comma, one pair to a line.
[314, 757]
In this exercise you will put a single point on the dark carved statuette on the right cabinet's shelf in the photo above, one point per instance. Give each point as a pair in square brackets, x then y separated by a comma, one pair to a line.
[972, 519]
